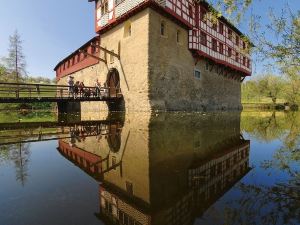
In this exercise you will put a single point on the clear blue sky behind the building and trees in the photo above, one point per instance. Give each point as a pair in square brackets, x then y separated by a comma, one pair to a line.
[53, 29]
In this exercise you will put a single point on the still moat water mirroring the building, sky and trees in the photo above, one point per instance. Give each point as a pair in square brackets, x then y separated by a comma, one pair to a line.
[169, 168]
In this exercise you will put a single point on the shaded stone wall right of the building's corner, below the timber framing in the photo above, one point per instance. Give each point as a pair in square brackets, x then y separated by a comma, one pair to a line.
[173, 85]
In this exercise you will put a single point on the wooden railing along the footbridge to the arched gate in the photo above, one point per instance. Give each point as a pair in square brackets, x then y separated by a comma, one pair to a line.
[23, 90]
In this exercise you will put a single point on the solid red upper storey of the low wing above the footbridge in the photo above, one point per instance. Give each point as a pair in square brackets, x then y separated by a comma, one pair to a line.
[85, 56]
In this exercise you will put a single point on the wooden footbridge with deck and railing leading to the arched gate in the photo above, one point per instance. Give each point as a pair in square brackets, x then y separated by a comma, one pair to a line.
[30, 93]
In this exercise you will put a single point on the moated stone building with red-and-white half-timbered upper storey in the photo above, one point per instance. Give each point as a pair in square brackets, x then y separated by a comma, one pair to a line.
[162, 55]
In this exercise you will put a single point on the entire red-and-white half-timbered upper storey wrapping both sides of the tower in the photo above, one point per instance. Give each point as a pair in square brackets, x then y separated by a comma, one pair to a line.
[220, 41]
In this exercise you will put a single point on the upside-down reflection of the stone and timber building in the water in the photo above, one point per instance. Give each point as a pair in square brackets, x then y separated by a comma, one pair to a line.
[163, 169]
